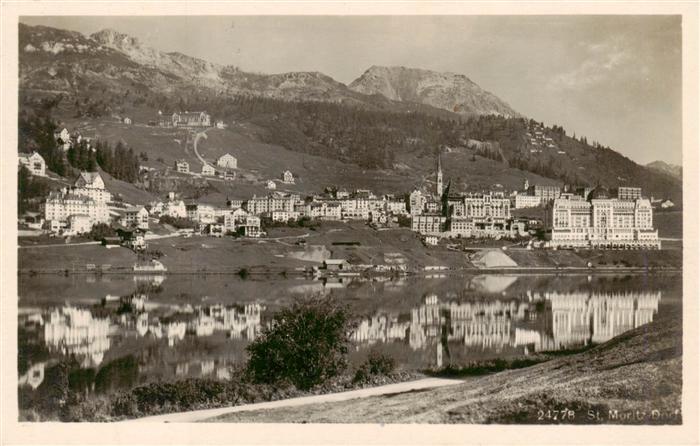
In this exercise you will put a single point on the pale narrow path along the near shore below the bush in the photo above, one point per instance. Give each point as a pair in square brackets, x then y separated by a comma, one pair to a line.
[207, 414]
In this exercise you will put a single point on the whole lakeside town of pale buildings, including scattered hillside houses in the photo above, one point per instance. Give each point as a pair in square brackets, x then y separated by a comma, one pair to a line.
[535, 217]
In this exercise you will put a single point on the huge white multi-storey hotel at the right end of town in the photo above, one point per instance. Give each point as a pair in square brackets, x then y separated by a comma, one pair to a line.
[601, 222]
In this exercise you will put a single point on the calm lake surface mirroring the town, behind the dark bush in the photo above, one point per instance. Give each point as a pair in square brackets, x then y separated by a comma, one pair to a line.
[160, 329]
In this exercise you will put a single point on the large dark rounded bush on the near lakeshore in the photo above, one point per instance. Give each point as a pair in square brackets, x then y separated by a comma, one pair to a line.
[306, 344]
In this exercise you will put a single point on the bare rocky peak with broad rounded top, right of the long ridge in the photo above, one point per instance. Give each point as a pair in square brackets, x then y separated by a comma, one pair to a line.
[448, 91]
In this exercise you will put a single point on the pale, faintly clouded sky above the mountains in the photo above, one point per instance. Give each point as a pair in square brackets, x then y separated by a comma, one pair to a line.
[615, 79]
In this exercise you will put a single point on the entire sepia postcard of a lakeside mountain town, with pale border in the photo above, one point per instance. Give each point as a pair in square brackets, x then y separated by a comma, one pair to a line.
[349, 219]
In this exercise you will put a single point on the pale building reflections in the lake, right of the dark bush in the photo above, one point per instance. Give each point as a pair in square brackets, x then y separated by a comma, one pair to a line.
[539, 322]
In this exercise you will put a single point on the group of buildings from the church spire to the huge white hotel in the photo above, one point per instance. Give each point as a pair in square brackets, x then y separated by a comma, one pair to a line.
[588, 218]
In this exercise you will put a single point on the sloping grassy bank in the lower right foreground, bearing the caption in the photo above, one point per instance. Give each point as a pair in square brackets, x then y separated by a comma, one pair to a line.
[635, 378]
